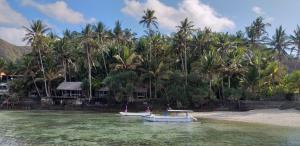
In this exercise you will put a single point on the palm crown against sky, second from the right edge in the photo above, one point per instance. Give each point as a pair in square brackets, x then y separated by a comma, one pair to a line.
[280, 42]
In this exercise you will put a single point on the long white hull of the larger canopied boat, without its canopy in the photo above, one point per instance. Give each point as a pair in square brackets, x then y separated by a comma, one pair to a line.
[155, 118]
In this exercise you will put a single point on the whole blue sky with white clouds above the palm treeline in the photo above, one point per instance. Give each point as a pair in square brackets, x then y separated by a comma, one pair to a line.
[220, 15]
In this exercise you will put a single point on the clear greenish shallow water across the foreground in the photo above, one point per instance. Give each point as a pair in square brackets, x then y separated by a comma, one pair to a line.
[83, 128]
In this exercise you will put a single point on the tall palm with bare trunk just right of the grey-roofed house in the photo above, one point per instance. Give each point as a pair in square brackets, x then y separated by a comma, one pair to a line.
[87, 40]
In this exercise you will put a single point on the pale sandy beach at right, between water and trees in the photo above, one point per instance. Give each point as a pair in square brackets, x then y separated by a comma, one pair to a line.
[278, 117]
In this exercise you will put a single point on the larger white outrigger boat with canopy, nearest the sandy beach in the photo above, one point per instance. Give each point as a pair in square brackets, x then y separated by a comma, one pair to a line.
[178, 118]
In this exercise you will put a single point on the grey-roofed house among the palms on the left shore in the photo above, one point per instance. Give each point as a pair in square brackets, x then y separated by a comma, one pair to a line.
[69, 93]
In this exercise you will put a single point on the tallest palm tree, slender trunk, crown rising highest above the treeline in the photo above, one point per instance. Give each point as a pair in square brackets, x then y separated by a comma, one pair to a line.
[149, 20]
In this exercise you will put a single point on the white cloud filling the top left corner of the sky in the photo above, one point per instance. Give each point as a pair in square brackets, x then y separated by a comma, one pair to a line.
[8, 16]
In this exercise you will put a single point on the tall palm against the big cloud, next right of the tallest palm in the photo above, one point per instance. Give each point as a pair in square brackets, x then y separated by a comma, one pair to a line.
[185, 31]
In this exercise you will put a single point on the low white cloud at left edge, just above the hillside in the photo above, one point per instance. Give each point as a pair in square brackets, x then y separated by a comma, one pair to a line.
[13, 35]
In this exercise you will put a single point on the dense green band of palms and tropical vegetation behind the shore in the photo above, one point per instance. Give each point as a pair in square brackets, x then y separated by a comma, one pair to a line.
[190, 67]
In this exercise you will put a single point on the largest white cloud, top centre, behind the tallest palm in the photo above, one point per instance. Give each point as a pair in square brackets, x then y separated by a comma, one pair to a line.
[169, 17]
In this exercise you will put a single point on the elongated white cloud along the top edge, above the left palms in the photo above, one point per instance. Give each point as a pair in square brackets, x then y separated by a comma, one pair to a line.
[60, 11]
